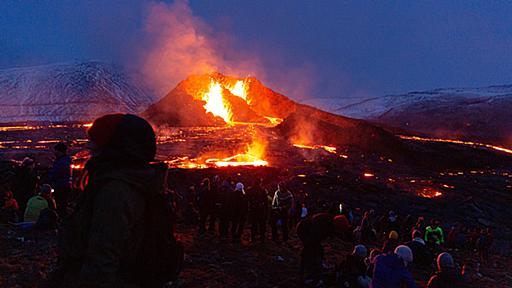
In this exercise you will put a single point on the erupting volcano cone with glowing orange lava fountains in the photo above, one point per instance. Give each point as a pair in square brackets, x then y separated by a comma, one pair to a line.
[248, 101]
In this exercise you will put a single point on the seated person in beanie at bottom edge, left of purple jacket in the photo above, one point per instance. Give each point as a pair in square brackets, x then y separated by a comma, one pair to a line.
[352, 271]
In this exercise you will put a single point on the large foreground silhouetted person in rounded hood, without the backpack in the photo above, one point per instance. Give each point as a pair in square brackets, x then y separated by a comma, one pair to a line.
[99, 243]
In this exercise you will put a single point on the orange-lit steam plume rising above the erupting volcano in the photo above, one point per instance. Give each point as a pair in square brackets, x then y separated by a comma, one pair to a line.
[178, 44]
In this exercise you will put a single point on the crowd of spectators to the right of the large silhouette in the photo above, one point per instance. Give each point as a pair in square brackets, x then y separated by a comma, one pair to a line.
[408, 244]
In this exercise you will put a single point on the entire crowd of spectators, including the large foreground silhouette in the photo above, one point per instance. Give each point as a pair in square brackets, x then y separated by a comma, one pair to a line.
[117, 231]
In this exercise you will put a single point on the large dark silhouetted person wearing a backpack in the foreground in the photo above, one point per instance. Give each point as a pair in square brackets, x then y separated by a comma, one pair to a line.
[121, 232]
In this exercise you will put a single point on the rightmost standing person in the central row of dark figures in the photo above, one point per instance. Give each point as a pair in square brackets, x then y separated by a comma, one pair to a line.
[281, 206]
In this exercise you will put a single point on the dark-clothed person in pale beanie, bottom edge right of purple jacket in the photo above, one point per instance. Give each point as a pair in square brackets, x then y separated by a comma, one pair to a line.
[446, 275]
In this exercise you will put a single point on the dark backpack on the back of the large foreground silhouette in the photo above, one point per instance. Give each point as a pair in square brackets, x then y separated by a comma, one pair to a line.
[160, 258]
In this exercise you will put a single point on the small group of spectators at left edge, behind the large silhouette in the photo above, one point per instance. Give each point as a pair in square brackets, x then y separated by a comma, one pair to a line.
[33, 199]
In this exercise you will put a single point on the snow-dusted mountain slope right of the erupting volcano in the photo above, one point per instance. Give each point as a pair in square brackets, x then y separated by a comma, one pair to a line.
[479, 114]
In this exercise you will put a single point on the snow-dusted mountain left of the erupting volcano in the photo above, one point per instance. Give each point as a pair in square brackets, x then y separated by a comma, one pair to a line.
[68, 92]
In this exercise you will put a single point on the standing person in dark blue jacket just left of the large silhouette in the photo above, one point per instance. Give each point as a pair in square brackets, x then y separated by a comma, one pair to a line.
[59, 177]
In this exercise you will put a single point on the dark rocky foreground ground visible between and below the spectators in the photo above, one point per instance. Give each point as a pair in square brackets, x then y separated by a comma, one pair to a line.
[27, 257]
